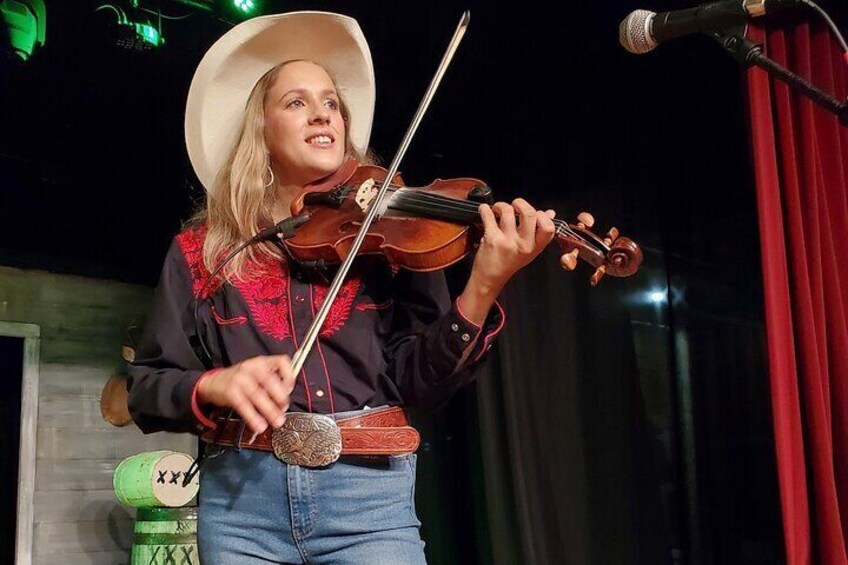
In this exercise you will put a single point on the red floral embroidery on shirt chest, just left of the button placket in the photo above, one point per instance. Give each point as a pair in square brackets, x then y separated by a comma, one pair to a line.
[265, 294]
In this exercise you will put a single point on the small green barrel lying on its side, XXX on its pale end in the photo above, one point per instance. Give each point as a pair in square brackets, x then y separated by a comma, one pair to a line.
[155, 479]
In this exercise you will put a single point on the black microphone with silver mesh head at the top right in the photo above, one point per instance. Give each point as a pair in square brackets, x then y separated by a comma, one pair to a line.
[643, 30]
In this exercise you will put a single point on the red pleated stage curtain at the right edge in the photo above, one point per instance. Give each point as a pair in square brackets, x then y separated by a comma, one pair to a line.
[801, 162]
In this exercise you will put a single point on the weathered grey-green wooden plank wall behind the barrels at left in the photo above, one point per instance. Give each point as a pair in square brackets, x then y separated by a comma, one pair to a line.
[83, 322]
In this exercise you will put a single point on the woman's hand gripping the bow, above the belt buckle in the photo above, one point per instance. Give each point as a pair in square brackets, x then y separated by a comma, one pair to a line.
[257, 388]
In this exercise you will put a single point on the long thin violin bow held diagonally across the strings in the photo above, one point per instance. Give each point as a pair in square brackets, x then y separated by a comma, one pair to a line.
[377, 207]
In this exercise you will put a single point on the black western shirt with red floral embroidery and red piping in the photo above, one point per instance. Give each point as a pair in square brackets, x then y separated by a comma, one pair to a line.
[393, 337]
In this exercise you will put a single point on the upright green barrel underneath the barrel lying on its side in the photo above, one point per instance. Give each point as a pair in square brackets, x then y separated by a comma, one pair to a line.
[165, 536]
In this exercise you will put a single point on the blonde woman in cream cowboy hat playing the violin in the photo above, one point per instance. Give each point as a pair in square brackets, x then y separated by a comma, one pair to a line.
[278, 103]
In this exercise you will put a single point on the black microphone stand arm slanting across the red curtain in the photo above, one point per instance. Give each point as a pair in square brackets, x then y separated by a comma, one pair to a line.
[750, 54]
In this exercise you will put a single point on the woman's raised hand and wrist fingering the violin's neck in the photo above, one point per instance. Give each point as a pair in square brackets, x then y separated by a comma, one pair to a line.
[514, 234]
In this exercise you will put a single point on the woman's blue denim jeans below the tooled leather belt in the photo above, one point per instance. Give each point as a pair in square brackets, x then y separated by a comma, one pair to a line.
[255, 509]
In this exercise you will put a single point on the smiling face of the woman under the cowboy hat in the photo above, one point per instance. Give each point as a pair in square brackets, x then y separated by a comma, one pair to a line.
[304, 130]
